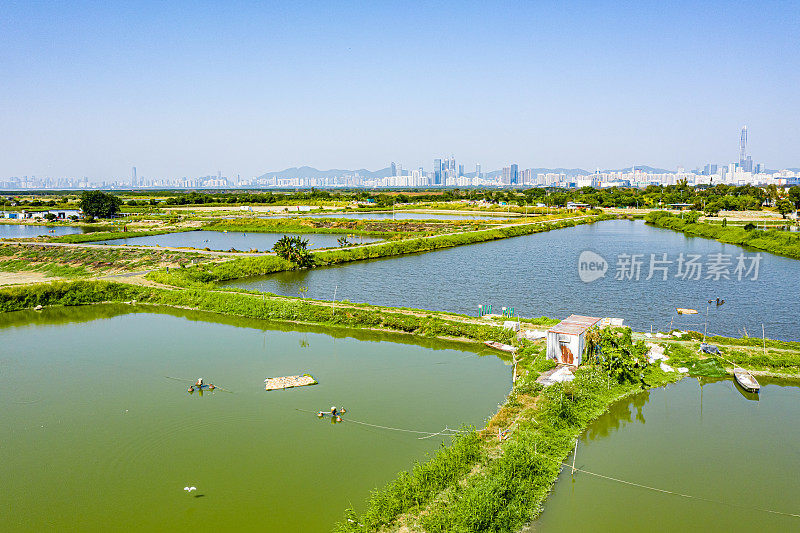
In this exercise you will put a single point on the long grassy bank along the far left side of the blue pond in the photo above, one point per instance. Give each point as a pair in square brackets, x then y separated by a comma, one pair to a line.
[258, 266]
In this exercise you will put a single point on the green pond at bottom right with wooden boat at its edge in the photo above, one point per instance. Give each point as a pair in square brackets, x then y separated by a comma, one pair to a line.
[710, 442]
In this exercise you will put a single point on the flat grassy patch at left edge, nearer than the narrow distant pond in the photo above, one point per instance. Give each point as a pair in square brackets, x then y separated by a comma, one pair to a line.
[62, 261]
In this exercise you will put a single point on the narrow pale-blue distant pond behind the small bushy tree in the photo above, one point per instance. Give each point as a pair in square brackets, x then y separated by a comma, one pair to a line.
[225, 240]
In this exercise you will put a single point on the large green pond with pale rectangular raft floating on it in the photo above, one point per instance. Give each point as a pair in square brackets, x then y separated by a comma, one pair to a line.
[96, 438]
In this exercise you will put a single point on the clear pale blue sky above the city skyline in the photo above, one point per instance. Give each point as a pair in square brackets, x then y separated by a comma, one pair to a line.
[189, 88]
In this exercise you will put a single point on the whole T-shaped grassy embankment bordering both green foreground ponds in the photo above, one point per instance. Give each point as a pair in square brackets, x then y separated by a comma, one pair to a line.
[476, 484]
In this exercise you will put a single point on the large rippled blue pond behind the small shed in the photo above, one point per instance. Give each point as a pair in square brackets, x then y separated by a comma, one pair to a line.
[539, 275]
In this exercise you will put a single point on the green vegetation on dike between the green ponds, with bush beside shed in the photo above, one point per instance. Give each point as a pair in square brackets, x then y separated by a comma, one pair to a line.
[505, 484]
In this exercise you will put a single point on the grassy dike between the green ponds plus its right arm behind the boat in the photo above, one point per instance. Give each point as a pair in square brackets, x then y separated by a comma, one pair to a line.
[478, 484]
